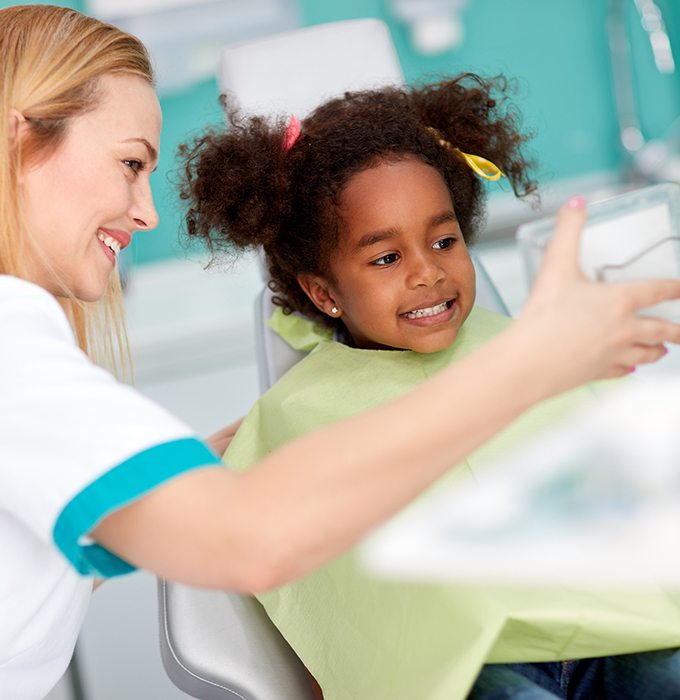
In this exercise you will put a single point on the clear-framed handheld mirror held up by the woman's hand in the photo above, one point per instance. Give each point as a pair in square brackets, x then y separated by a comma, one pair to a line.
[633, 236]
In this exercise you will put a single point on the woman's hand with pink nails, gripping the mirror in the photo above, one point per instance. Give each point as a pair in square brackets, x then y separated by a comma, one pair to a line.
[591, 330]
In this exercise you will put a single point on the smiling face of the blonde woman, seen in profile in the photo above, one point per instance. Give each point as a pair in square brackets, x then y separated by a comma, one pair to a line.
[83, 202]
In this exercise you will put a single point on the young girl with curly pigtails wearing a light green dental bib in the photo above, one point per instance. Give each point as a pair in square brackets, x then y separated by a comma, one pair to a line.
[365, 213]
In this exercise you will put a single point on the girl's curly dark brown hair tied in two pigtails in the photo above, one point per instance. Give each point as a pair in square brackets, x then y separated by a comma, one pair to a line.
[245, 190]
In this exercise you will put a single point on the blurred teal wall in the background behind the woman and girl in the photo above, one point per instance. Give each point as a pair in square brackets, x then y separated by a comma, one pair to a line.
[556, 49]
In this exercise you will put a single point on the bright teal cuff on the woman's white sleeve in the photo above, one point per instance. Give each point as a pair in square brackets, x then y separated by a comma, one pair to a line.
[116, 488]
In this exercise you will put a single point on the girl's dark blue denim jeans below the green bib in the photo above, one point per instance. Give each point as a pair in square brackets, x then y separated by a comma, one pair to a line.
[651, 675]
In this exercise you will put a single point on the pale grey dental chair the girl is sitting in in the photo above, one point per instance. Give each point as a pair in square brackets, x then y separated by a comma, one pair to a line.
[218, 645]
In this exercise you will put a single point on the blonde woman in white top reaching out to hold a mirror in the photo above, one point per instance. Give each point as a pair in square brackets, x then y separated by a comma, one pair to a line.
[94, 479]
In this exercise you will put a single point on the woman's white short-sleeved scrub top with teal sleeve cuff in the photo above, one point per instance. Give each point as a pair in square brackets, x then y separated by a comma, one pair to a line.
[75, 445]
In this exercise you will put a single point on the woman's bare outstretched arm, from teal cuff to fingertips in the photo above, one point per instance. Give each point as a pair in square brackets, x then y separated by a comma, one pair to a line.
[316, 496]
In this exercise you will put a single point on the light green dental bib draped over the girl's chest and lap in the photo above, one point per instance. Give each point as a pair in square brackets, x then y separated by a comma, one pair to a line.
[364, 638]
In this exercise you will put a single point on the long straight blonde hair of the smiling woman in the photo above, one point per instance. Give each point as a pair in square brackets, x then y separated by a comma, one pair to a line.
[50, 61]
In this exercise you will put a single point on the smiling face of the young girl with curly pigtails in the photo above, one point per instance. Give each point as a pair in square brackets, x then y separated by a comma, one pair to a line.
[402, 276]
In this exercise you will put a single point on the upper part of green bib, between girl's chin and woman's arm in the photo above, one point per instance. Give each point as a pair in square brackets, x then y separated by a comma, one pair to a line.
[333, 381]
